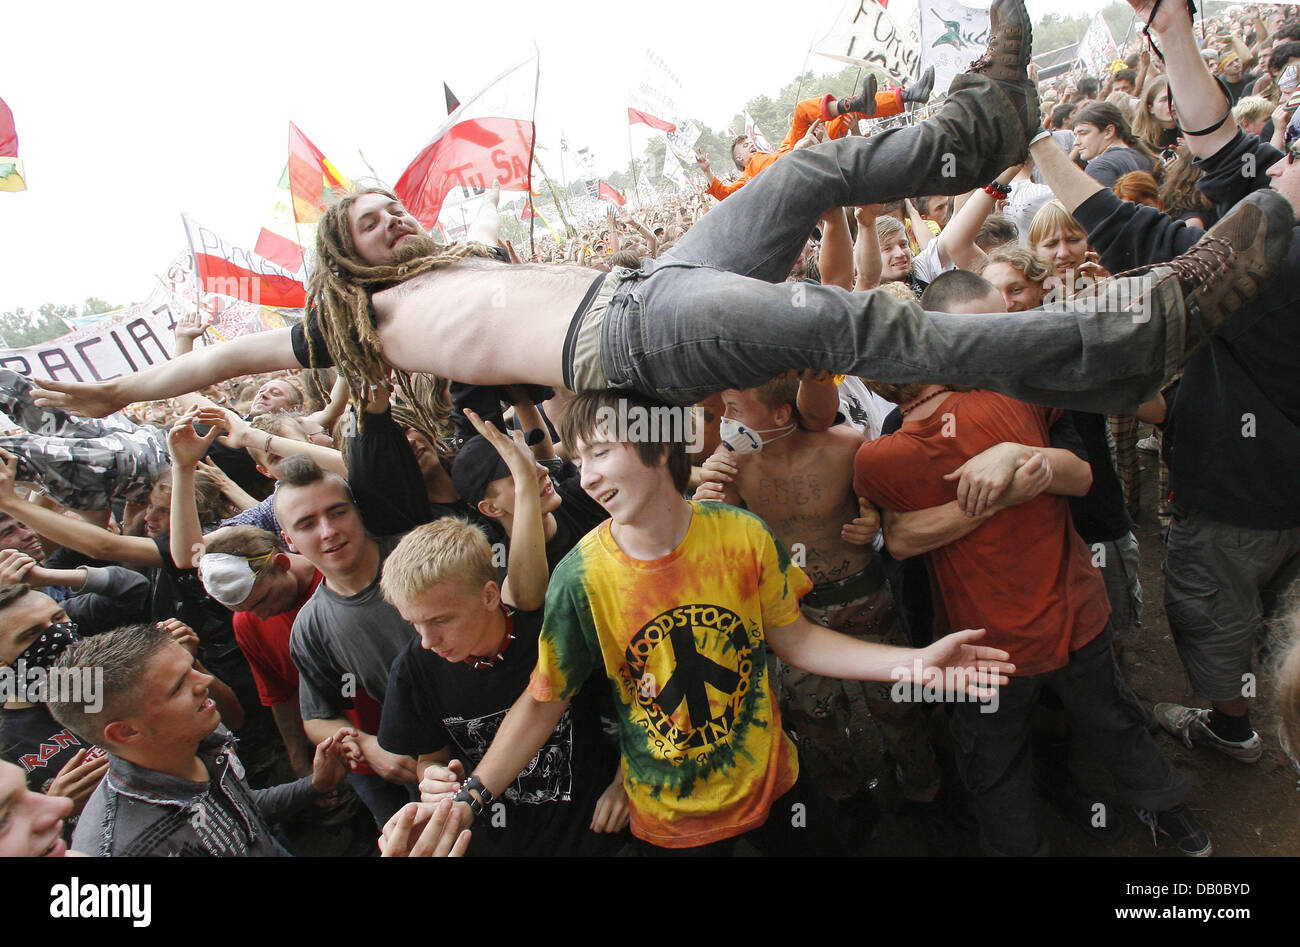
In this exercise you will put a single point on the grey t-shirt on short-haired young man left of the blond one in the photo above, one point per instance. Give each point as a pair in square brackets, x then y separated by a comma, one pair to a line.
[344, 643]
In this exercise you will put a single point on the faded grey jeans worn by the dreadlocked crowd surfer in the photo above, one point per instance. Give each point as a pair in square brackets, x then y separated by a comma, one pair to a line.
[710, 314]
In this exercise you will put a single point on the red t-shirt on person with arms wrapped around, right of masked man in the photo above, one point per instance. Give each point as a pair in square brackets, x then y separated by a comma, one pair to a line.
[1025, 574]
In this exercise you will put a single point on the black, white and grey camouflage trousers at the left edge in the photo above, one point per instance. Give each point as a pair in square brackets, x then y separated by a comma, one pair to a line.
[84, 464]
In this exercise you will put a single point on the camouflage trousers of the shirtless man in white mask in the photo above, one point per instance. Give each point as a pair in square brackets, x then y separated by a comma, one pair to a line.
[830, 717]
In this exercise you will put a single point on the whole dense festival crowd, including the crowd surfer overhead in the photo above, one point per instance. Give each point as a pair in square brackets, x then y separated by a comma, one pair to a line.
[687, 531]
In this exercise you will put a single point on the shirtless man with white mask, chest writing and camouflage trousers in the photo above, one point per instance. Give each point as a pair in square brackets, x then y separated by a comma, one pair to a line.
[801, 483]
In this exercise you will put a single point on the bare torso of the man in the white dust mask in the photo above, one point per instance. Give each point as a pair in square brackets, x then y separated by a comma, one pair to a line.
[807, 496]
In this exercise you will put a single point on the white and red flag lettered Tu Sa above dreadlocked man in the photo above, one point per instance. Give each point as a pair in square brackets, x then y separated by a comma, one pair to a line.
[488, 137]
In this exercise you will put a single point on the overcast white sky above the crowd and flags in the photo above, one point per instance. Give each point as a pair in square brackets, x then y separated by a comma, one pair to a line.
[131, 114]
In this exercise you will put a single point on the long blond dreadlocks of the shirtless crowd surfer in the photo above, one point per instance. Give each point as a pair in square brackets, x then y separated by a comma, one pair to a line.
[340, 291]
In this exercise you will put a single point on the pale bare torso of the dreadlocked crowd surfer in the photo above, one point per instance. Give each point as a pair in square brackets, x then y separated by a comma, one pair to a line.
[483, 323]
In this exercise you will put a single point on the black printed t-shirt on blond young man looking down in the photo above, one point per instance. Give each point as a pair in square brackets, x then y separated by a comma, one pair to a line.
[432, 704]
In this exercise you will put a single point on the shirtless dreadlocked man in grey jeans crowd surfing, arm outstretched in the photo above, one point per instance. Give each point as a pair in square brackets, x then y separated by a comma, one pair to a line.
[713, 314]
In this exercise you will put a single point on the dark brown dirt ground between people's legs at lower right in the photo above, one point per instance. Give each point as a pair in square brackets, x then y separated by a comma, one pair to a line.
[1249, 810]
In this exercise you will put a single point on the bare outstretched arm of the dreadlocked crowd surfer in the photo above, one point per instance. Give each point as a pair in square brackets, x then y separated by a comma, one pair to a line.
[265, 352]
